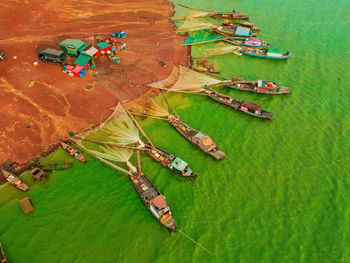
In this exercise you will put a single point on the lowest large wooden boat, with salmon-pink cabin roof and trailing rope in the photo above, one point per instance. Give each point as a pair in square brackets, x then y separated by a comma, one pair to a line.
[154, 200]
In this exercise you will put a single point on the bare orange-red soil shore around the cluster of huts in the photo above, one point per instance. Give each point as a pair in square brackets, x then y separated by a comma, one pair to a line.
[33, 117]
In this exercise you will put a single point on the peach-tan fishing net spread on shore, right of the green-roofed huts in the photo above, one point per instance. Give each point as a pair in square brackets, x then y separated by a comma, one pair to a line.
[187, 80]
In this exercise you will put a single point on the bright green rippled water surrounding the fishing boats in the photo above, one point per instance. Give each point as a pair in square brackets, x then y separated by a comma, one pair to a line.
[280, 195]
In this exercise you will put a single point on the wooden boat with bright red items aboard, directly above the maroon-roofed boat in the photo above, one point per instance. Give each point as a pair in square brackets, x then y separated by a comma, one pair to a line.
[260, 86]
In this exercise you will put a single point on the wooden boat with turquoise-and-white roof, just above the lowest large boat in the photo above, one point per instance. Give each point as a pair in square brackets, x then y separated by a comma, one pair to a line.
[173, 163]
